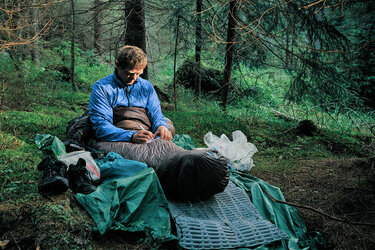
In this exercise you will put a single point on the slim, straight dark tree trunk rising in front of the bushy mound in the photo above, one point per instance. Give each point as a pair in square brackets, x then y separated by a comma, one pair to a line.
[198, 48]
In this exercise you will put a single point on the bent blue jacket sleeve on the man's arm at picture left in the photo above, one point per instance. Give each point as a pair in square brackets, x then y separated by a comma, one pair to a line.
[101, 116]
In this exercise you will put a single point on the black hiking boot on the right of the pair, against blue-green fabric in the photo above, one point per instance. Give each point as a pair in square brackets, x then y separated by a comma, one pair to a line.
[79, 178]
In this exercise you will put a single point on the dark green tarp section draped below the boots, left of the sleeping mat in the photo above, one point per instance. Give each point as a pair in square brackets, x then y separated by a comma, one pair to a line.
[131, 204]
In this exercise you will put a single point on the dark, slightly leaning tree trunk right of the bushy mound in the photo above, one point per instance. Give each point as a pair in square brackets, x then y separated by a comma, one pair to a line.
[228, 54]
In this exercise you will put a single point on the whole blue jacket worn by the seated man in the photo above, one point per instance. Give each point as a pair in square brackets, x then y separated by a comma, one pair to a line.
[111, 92]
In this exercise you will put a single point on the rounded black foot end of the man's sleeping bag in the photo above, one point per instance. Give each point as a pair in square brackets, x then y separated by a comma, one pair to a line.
[193, 175]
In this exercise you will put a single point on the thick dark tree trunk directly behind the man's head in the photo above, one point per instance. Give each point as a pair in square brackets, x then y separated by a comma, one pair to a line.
[135, 31]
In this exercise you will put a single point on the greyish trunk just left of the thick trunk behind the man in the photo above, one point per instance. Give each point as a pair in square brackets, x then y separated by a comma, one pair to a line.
[98, 30]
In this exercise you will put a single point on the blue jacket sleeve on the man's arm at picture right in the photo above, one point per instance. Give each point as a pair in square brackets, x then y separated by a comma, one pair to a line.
[154, 110]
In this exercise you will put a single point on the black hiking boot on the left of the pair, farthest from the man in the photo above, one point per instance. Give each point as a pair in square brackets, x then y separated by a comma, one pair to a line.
[54, 179]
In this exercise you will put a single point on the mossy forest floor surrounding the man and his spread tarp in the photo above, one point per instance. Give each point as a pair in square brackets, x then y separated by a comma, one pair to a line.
[328, 178]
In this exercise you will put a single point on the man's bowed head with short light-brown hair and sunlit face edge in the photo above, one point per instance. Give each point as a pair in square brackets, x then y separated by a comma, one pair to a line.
[130, 63]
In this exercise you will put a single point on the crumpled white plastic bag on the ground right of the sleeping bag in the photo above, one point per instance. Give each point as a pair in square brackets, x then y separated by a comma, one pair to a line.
[238, 152]
